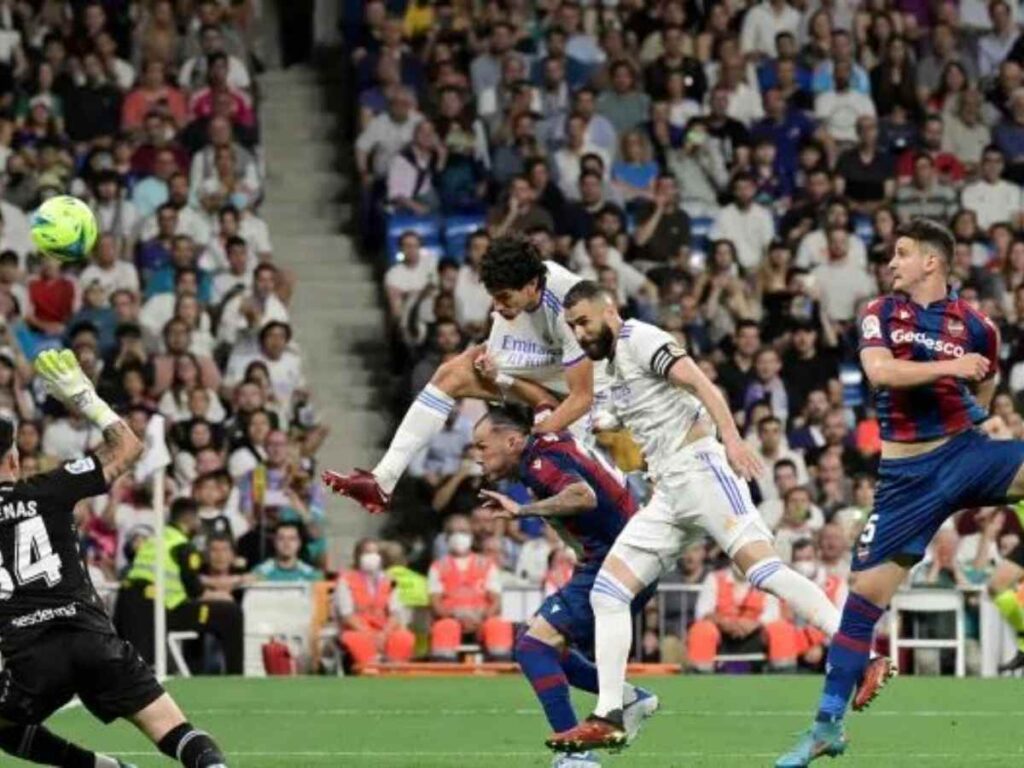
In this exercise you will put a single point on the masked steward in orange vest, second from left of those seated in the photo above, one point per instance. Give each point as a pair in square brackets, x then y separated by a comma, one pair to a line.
[465, 596]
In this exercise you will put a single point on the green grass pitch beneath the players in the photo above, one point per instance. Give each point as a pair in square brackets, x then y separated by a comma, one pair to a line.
[494, 723]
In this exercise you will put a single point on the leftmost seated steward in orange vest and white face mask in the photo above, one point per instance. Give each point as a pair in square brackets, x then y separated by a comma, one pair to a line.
[371, 614]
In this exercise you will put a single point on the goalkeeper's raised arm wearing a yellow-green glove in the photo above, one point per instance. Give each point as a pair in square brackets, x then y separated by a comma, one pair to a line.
[65, 380]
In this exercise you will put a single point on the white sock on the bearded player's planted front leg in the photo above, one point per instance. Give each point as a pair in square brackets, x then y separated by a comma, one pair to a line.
[613, 638]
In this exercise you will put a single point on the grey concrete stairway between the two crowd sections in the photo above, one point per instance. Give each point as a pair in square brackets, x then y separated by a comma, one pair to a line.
[336, 311]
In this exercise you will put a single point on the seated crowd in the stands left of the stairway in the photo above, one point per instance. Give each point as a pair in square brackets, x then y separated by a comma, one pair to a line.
[148, 111]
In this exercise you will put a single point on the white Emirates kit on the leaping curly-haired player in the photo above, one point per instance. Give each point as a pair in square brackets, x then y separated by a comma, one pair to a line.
[539, 347]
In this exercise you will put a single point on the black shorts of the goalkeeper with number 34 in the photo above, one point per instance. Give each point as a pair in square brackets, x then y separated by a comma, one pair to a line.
[103, 670]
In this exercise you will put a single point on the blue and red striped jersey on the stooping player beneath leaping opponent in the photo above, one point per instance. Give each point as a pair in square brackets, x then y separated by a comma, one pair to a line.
[553, 462]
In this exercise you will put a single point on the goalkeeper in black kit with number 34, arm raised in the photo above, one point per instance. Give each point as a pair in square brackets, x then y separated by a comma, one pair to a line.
[56, 637]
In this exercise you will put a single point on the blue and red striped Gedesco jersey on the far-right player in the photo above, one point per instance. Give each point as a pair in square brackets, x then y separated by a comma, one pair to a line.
[944, 330]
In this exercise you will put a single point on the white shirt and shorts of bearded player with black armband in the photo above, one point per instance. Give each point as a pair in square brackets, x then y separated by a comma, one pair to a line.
[696, 491]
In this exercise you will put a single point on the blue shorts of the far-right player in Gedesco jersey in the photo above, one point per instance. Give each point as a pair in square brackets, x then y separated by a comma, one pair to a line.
[916, 496]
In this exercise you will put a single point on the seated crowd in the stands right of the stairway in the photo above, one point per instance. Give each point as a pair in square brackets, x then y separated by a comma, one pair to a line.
[734, 174]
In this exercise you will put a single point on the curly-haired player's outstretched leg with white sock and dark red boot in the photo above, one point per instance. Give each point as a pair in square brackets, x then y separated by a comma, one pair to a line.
[424, 419]
